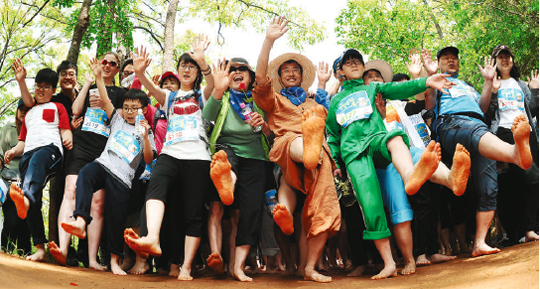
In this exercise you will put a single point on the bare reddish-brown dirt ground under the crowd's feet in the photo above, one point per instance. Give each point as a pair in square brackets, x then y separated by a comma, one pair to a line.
[514, 267]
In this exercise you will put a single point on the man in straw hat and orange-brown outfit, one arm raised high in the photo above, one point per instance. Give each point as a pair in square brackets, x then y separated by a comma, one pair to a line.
[299, 148]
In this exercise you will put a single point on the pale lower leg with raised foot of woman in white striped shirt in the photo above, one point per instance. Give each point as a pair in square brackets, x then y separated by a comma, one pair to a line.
[155, 209]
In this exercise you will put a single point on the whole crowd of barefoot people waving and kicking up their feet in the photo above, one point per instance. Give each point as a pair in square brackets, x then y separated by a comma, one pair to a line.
[254, 172]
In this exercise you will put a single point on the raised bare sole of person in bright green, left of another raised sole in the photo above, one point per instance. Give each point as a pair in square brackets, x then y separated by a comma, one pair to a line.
[426, 166]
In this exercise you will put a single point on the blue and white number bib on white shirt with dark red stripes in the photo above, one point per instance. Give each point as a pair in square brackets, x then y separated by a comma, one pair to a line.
[181, 128]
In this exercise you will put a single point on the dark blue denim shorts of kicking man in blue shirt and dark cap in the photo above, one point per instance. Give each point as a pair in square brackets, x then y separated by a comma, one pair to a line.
[468, 131]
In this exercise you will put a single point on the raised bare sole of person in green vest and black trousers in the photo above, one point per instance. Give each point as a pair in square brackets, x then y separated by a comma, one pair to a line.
[220, 173]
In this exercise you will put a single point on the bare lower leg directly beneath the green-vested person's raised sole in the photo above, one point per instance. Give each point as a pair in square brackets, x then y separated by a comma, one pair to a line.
[215, 235]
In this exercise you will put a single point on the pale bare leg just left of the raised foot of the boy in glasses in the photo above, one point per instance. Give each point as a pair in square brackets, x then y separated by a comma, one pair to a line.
[66, 210]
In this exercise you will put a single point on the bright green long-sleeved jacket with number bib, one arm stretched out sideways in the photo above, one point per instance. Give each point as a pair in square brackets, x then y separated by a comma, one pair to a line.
[350, 128]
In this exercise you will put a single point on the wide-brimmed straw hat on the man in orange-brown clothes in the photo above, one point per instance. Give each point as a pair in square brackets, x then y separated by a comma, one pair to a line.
[308, 75]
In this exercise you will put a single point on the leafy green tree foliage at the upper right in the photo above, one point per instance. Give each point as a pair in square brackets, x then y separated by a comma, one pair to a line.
[387, 30]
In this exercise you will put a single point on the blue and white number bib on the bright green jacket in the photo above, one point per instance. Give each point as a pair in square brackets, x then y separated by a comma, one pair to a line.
[353, 107]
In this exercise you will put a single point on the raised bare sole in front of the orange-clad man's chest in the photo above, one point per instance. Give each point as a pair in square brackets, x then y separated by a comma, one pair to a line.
[313, 124]
